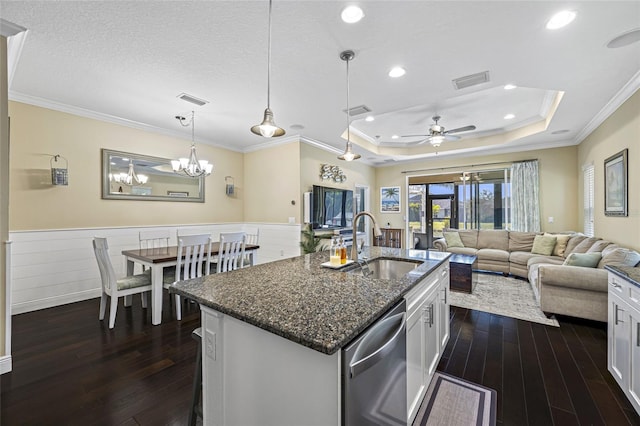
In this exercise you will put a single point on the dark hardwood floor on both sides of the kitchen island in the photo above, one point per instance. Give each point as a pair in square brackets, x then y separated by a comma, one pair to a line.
[70, 369]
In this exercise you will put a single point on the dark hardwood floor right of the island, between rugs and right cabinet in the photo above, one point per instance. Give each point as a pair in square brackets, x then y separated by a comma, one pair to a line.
[543, 375]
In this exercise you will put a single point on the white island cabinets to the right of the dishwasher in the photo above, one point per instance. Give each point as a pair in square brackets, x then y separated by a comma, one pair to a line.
[427, 334]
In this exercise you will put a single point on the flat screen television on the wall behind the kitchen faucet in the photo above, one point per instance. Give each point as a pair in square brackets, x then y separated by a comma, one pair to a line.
[331, 208]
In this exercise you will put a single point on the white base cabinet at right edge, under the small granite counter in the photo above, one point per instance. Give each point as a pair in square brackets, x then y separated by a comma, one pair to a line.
[624, 336]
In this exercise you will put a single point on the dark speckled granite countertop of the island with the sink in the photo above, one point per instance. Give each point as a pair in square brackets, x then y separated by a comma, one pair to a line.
[302, 301]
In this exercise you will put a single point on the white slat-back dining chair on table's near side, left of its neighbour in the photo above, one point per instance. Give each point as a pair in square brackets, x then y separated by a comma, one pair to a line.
[193, 261]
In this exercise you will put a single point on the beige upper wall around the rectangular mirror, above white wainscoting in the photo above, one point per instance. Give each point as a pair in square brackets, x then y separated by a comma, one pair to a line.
[38, 133]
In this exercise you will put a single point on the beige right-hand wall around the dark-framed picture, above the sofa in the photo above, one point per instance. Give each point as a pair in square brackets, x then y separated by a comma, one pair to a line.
[621, 130]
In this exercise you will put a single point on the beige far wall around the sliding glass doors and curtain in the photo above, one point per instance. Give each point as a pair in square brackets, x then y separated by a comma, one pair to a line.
[558, 183]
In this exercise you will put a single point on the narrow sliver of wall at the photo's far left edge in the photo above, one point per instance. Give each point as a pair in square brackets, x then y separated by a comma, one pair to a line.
[4, 187]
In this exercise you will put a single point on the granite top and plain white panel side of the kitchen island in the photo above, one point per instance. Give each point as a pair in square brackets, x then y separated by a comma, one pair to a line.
[272, 334]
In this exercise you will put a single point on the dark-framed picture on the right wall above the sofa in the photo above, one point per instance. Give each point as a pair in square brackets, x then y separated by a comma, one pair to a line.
[615, 184]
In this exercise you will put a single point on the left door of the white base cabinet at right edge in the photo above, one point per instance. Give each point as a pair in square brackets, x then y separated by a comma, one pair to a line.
[618, 336]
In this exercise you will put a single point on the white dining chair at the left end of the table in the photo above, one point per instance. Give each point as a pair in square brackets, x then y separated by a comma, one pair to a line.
[116, 287]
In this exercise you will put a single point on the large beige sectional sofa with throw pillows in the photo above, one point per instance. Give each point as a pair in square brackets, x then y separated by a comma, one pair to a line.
[566, 270]
